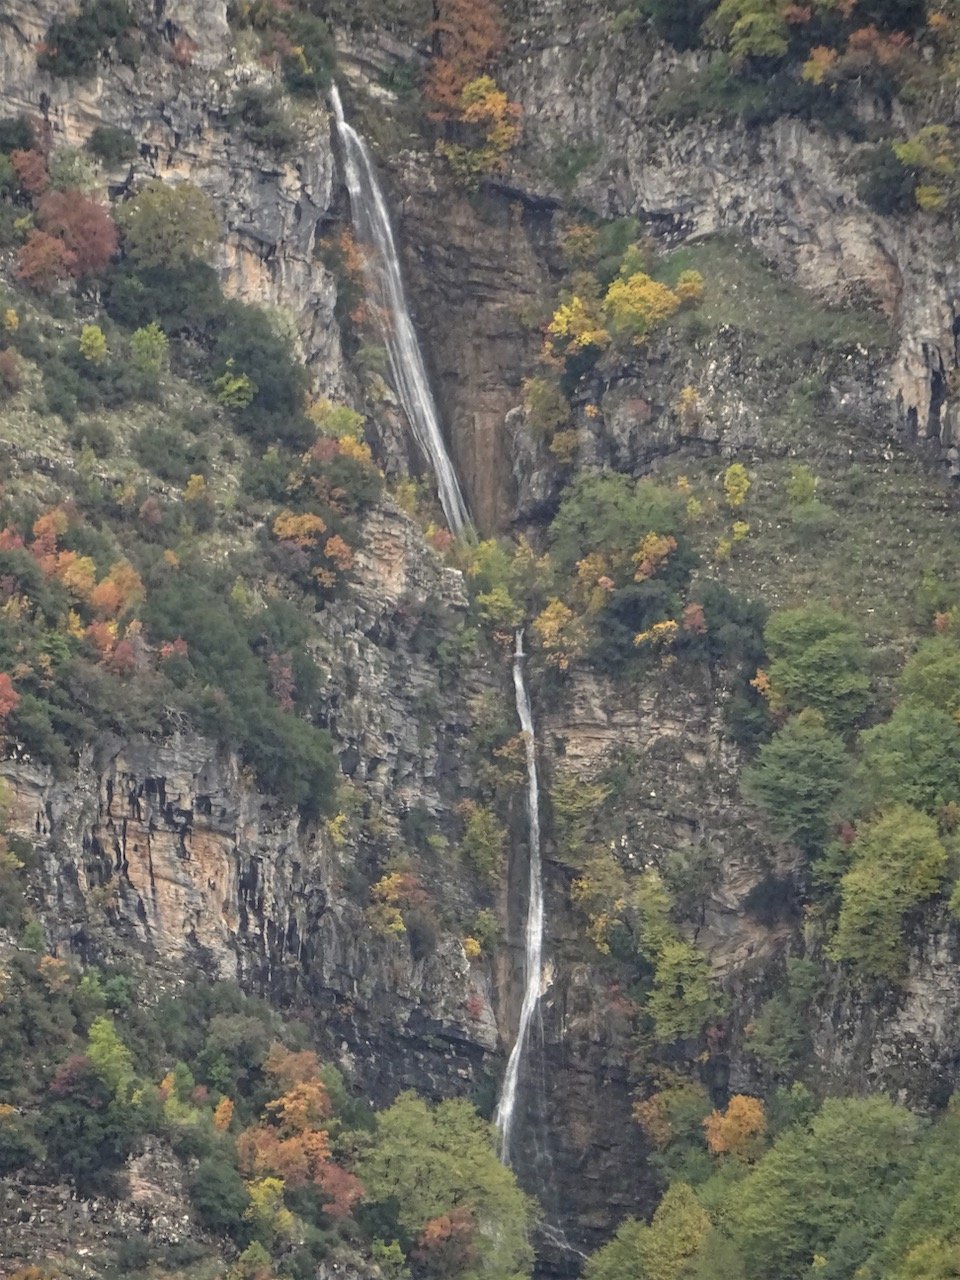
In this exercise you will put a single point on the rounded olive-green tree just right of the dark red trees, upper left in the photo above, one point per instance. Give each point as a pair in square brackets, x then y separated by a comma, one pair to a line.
[168, 227]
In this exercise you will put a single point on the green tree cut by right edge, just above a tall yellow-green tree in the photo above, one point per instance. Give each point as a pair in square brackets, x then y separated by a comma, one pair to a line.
[913, 760]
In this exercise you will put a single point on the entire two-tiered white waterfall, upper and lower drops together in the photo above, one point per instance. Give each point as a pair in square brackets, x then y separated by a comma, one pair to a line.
[386, 285]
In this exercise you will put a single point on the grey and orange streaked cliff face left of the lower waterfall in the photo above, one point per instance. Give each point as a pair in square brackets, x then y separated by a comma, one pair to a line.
[167, 849]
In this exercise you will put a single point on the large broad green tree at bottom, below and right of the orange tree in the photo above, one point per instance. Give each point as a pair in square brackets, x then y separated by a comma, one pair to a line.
[820, 1181]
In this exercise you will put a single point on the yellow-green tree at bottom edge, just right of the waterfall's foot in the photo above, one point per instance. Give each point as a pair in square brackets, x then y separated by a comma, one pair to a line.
[661, 1251]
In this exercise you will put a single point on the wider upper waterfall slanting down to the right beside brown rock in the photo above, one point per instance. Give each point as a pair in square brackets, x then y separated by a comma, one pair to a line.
[386, 285]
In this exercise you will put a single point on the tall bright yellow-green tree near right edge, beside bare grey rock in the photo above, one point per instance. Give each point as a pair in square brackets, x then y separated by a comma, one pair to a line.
[899, 862]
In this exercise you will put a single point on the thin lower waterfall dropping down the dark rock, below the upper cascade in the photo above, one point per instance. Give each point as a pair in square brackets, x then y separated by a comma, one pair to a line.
[533, 952]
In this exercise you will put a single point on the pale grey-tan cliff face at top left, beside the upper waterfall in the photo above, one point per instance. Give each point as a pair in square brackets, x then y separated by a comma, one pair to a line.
[176, 106]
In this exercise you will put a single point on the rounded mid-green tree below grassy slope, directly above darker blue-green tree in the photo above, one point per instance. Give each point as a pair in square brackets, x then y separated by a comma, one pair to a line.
[819, 660]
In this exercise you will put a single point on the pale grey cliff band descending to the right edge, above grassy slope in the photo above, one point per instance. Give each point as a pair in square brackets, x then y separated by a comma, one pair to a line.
[787, 188]
